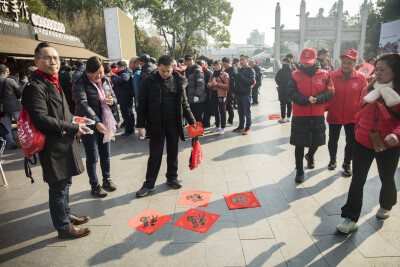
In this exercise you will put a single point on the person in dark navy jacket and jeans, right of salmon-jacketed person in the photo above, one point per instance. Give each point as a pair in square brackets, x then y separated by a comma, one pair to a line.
[244, 81]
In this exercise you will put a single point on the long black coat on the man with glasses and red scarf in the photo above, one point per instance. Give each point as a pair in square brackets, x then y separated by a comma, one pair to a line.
[48, 111]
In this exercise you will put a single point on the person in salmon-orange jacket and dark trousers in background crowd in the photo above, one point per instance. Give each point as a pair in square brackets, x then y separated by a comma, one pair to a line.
[219, 85]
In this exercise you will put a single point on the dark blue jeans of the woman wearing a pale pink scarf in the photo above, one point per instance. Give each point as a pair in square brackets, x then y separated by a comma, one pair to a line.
[94, 147]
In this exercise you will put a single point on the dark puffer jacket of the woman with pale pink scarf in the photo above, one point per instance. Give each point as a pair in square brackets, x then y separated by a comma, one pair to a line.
[87, 98]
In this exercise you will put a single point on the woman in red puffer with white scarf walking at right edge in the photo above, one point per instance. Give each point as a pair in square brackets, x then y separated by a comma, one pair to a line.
[377, 134]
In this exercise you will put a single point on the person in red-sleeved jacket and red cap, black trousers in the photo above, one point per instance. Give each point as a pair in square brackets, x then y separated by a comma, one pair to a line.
[349, 84]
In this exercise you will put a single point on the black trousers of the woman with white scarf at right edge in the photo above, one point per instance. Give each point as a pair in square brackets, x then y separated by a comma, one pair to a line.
[387, 162]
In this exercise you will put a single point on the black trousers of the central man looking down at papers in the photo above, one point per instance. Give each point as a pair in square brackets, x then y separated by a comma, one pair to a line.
[156, 146]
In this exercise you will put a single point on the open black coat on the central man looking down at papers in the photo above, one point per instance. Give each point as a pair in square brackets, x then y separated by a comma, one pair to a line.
[149, 110]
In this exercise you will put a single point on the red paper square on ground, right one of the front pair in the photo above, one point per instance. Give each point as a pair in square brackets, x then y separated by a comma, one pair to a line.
[197, 220]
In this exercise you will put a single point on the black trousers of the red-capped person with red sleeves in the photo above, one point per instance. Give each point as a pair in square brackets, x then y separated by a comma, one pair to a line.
[334, 134]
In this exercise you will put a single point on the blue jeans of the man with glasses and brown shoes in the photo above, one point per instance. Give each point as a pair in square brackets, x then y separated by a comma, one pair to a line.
[59, 204]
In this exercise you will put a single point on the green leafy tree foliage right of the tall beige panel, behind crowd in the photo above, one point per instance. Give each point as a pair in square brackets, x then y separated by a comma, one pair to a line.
[179, 20]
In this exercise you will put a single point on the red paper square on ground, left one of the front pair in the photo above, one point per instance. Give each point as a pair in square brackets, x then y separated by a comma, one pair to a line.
[148, 221]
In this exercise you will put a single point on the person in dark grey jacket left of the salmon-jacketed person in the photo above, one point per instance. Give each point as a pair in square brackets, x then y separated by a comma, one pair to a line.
[195, 89]
